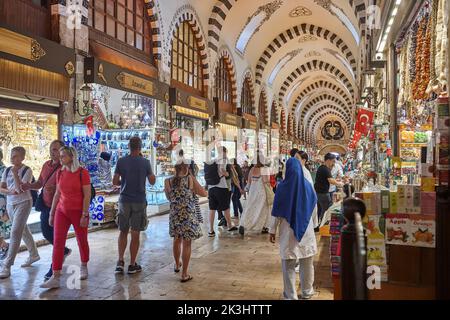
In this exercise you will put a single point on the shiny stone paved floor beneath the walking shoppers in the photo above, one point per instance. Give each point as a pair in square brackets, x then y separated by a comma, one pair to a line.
[224, 267]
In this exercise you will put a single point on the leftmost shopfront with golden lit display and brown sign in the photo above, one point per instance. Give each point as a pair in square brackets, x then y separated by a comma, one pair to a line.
[34, 84]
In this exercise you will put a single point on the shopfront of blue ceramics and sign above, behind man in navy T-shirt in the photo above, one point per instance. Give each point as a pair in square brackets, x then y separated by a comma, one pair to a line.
[123, 104]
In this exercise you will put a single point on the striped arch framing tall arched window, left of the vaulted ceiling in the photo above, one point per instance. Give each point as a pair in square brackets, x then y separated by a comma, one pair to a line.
[187, 14]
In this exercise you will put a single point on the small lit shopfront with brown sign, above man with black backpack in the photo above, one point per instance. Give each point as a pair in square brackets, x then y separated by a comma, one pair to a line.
[229, 125]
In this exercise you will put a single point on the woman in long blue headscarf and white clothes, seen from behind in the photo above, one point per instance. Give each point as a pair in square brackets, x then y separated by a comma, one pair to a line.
[293, 210]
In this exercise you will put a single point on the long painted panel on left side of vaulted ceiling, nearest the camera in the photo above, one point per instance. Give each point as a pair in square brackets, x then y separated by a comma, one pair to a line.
[255, 22]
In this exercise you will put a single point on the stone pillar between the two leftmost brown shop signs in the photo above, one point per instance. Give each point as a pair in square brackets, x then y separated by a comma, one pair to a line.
[70, 29]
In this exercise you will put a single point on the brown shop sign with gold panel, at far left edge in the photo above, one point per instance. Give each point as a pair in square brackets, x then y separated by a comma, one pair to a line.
[27, 49]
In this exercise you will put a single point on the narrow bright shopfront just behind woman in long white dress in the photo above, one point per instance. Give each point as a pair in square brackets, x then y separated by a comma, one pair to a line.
[247, 142]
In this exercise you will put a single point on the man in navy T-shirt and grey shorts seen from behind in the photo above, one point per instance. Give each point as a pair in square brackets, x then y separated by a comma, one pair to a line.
[132, 173]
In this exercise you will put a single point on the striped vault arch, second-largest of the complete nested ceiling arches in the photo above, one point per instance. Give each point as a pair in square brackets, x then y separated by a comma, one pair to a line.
[310, 67]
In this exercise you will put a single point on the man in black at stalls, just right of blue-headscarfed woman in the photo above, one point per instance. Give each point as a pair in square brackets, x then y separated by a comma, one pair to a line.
[322, 184]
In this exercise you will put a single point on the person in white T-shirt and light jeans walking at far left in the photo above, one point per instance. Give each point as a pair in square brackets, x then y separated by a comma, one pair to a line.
[19, 204]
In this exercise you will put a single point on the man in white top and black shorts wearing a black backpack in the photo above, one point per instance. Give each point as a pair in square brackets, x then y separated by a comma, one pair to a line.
[216, 174]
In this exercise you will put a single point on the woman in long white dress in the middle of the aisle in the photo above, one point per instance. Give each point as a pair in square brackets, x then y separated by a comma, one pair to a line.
[256, 215]
